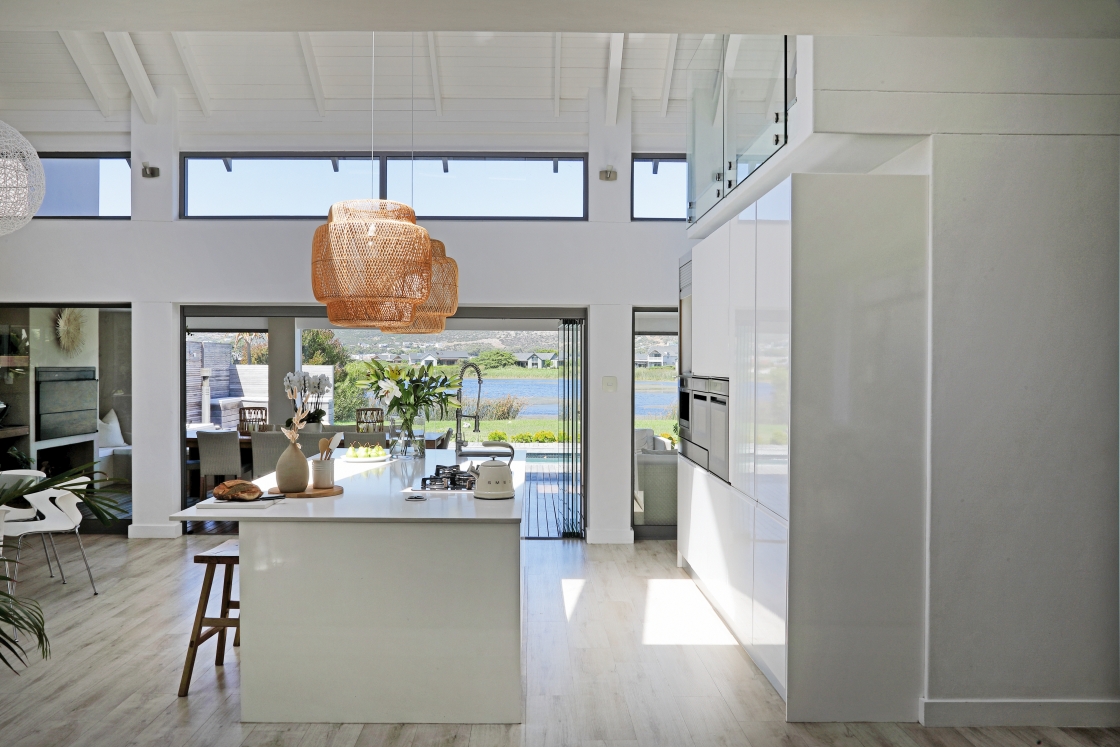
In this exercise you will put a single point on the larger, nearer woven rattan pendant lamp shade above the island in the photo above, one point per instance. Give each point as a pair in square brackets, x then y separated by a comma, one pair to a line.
[371, 264]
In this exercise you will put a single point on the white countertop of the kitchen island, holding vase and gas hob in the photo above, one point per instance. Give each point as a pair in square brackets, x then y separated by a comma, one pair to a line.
[376, 493]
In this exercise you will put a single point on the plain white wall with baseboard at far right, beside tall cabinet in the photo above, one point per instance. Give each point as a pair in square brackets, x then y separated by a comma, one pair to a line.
[1024, 511]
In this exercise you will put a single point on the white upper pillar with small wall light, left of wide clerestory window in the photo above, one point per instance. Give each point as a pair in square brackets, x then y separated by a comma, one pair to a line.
[157, 199]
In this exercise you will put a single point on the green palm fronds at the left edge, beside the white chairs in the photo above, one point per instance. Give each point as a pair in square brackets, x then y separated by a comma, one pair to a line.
[20, 615]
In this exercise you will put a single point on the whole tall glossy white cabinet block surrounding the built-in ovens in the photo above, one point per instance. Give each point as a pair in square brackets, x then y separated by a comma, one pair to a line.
[813, 302]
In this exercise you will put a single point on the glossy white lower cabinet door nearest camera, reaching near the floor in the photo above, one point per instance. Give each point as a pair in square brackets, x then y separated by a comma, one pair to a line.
[772, 546]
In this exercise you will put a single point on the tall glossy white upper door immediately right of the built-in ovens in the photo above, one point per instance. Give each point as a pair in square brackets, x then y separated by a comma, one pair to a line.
[742, 310]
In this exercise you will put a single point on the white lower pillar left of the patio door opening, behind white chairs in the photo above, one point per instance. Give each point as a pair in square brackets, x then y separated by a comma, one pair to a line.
[157, 487]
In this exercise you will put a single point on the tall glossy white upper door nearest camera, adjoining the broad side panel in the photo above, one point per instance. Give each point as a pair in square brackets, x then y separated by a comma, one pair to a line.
[772, 346]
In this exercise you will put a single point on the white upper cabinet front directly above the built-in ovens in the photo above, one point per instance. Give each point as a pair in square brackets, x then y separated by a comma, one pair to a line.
[711, 286]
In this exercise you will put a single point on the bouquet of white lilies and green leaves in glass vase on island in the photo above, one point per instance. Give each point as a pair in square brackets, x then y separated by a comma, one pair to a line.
[409, 391]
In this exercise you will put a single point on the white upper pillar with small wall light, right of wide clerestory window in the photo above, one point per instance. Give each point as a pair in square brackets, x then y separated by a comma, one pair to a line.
[609, 146]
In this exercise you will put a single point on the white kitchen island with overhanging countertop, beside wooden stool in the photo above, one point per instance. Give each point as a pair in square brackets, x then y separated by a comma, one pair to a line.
[368, 609]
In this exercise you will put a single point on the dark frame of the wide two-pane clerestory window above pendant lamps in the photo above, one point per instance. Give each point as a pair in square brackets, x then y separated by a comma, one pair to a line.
[384, 157]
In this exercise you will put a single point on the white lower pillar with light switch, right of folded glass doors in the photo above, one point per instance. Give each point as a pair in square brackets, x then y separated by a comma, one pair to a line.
[610, 437]
